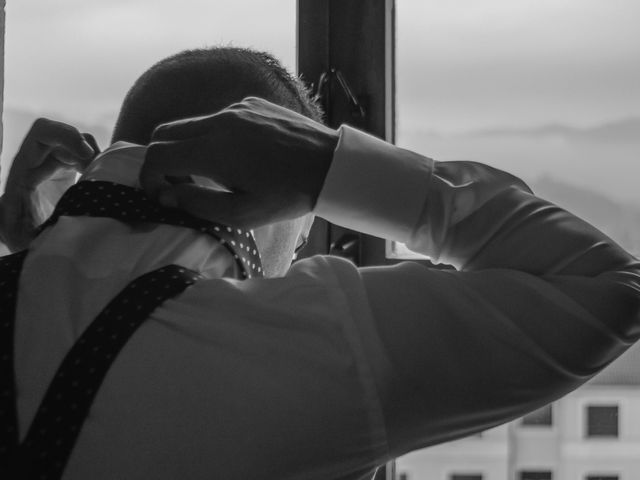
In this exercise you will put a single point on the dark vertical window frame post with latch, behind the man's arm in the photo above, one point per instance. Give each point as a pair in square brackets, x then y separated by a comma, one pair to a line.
[326, 40]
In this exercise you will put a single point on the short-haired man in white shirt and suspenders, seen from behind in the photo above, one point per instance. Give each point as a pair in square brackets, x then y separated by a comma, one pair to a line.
[324, 370]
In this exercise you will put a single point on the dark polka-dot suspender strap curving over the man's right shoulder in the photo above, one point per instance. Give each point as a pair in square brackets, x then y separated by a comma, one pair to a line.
[59, 419]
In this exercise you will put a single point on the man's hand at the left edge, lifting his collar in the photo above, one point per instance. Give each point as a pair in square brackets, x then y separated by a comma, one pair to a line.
[51, 151]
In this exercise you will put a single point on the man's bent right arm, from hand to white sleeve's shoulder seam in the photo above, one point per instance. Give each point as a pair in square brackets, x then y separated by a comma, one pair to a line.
[540, 301]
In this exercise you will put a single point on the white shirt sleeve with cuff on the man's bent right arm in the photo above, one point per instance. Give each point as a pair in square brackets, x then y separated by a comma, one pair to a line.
[538, 303]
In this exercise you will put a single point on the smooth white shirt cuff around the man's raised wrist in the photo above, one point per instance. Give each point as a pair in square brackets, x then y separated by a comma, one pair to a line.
[374, 187]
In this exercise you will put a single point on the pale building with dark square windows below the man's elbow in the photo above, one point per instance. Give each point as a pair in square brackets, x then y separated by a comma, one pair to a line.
[591, 434]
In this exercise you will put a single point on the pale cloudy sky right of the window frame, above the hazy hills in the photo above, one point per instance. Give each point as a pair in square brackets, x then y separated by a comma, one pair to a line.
[488, 63]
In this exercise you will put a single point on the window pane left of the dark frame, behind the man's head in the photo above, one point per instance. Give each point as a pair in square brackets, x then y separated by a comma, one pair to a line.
[74, 60]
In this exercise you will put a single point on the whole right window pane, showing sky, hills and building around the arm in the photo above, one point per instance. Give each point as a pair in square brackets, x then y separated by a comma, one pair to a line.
[550, 91]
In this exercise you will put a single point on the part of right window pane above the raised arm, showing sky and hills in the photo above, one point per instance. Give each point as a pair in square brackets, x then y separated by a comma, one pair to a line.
[547, 90]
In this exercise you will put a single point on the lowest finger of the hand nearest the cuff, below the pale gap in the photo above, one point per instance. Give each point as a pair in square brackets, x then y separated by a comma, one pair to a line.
[237, 209]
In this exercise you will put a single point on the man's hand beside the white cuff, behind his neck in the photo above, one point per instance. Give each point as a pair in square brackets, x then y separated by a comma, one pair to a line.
[271, 161]
